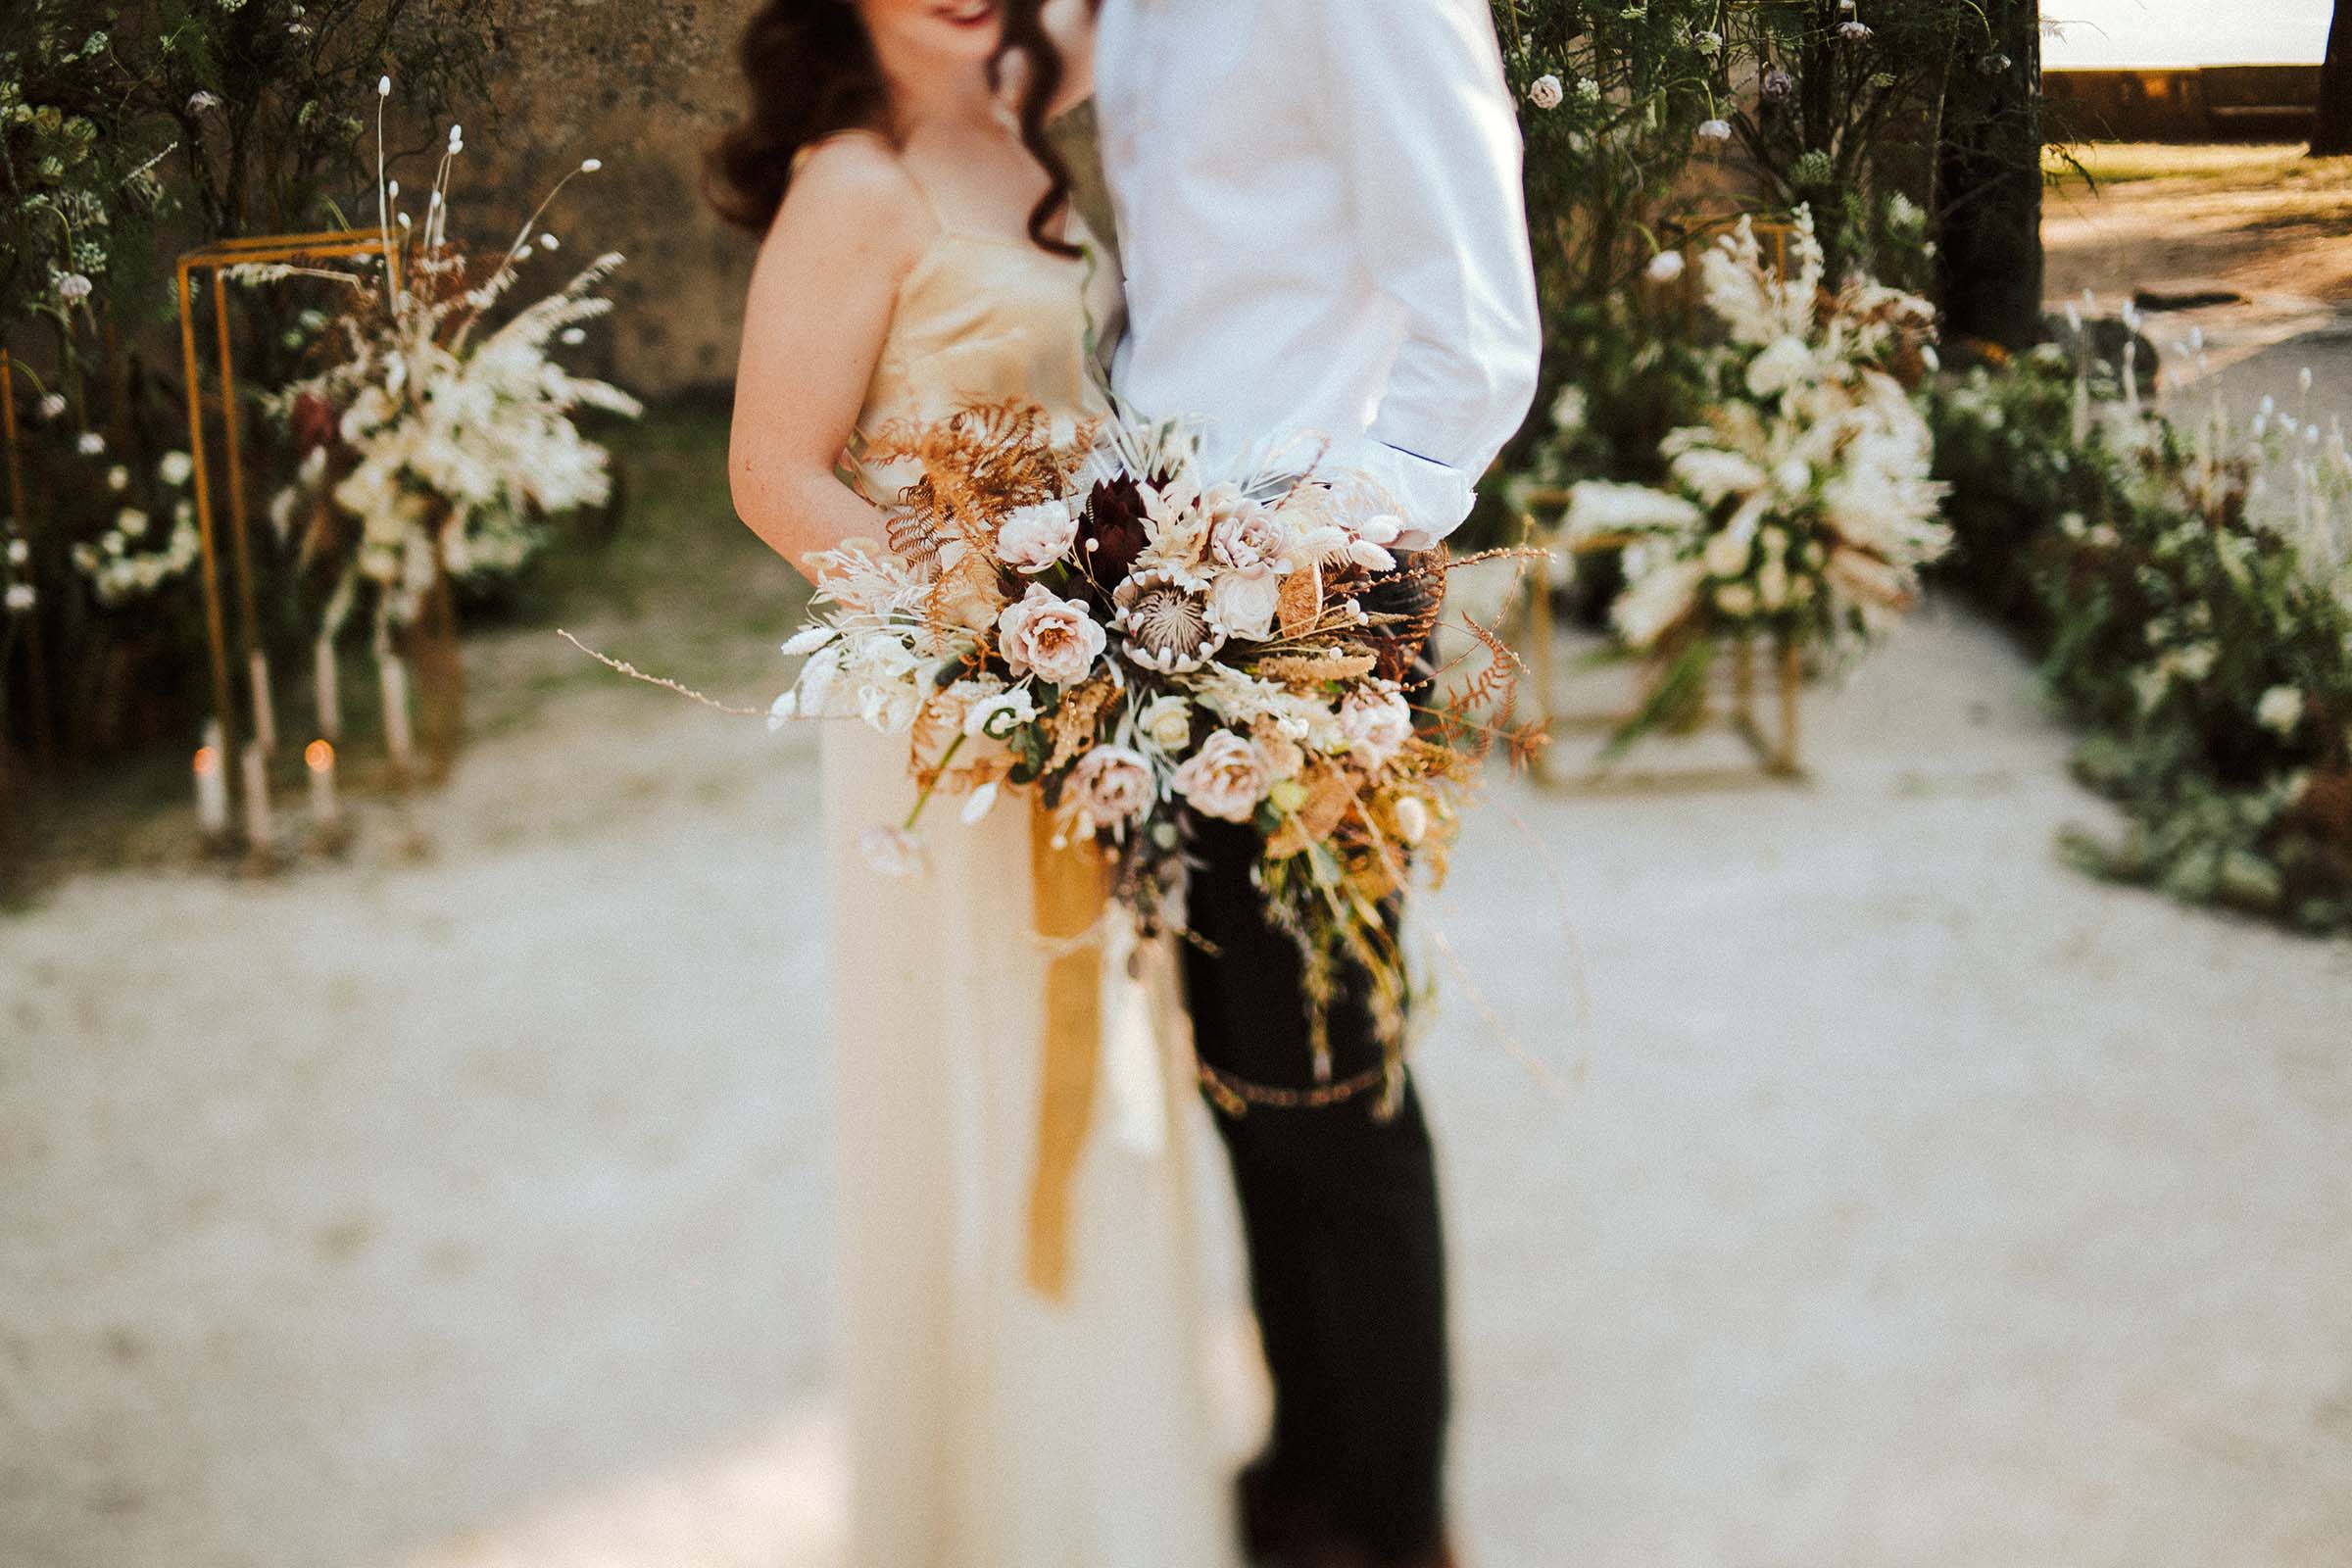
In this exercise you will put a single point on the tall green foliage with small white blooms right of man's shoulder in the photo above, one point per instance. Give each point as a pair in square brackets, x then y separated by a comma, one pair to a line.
[1655, 126]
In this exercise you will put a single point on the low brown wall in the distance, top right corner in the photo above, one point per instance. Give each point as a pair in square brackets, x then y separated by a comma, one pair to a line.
[2189, 105]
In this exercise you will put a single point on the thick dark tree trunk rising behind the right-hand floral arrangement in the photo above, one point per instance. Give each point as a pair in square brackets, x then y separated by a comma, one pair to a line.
[1991, 182]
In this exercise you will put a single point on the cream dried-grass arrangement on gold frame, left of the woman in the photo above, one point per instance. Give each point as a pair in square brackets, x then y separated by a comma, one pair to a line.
[441, 438]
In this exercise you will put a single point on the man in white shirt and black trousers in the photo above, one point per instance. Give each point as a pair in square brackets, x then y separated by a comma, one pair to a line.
[1321, 222]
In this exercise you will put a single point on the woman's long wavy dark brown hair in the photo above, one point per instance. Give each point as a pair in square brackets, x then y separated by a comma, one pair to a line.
[813, 72]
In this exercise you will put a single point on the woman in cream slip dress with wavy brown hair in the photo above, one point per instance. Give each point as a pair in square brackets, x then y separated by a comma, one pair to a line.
[1022, 1313]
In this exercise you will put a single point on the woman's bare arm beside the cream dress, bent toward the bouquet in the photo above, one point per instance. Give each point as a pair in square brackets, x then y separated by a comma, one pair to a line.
[820, 309]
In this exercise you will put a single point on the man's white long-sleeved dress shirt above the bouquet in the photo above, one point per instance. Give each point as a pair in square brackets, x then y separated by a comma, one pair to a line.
[1323, 234]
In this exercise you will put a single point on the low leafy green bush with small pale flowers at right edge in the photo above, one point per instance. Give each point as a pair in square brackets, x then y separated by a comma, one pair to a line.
[2191, 584]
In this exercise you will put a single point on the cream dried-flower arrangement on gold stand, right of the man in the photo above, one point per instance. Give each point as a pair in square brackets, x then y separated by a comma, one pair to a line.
[1803, 507]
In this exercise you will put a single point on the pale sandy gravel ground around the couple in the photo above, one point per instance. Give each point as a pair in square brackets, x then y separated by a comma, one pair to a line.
[1904, 1200]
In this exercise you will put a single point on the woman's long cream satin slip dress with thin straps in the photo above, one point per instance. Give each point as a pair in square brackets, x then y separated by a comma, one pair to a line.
[996, 1426]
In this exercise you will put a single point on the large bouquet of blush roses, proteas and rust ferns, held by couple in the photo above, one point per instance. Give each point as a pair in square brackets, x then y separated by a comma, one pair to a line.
[1095, 619]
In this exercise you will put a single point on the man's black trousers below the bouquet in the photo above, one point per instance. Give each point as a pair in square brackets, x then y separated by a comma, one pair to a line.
[1339, 1214]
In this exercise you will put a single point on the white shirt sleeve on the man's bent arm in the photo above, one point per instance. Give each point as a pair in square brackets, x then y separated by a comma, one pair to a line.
[1415, 105]
